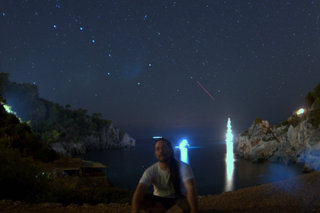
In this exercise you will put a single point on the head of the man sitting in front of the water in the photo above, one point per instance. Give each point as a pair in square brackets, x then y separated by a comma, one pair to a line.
[163, 150]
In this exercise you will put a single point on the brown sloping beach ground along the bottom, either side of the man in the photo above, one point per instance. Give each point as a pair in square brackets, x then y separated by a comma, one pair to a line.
[299, 194]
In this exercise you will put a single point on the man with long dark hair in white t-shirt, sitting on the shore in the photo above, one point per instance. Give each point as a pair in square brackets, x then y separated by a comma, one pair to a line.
[173, 184]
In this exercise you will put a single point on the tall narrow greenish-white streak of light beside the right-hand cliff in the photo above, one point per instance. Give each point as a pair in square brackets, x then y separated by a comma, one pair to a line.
[229, 158]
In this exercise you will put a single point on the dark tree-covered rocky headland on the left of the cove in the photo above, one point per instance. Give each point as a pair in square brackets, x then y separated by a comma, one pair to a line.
[67, 131]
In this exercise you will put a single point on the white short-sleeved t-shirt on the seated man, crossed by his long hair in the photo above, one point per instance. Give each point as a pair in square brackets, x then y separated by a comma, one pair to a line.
[160, 179]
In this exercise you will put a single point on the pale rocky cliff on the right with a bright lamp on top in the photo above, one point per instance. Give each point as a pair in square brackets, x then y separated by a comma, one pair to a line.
[296, 139]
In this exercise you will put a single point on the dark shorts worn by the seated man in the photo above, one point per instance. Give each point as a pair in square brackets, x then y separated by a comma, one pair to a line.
[150, 200]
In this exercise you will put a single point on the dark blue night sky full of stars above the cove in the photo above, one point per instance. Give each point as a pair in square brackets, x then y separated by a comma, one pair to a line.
[146, 65]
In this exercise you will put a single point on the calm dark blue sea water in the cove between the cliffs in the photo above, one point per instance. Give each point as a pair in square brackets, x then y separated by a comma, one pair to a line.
[125, 167]
